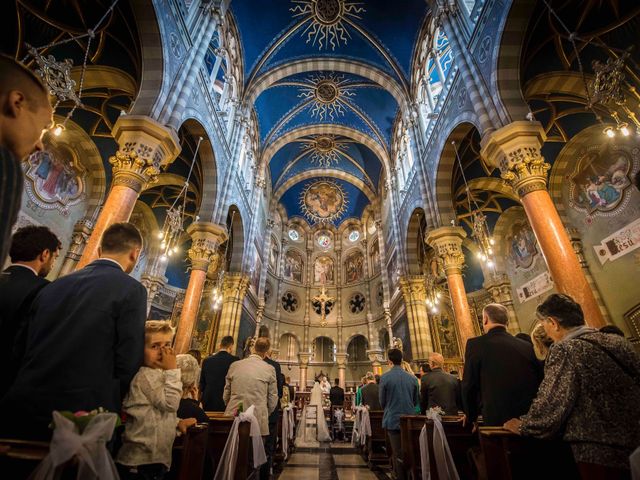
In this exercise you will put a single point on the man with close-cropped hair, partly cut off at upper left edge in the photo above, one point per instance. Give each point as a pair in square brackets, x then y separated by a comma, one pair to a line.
[25, 114]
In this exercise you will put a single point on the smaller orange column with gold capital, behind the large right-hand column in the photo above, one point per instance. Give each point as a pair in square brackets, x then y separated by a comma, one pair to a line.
[447, 242]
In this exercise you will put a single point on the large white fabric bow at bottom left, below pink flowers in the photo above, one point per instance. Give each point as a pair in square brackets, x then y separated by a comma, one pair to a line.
[89, 448]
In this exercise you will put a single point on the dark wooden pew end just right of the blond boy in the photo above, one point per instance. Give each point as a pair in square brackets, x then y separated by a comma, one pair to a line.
[189, 453]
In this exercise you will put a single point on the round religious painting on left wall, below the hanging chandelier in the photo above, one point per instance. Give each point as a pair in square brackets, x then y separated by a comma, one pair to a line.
[54, 179]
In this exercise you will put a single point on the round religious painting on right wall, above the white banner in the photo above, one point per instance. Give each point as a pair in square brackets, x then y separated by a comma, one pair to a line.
[600, 178]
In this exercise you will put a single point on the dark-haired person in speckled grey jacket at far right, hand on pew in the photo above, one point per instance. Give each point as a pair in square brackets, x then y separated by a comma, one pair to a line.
[590, 393]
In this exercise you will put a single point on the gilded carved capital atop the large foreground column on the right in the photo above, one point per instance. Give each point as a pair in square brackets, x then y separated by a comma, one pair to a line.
[515, 150]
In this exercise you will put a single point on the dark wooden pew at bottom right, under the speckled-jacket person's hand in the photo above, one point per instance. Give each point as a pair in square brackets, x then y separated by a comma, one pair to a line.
[509, 456]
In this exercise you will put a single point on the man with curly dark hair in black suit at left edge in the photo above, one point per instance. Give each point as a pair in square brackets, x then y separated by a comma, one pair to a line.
[34, 250]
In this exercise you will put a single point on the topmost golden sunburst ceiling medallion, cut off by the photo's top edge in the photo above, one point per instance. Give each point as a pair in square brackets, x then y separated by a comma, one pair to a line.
[327, 20]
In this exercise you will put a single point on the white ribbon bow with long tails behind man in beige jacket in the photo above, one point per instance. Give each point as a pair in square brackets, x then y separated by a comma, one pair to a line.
[226, 467]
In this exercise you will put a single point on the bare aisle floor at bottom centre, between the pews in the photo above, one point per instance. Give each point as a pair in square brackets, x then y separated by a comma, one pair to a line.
[332, 461]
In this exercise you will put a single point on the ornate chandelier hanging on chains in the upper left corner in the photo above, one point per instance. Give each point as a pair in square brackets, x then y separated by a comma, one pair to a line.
[56, 75]
